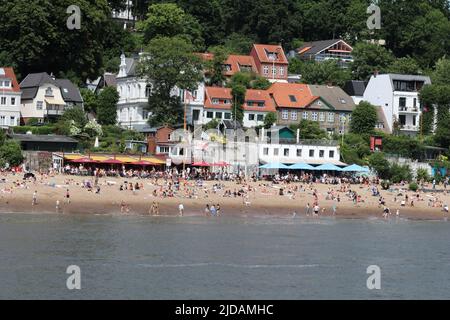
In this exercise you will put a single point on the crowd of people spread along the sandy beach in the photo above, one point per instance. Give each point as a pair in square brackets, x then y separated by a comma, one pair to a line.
[207, 186]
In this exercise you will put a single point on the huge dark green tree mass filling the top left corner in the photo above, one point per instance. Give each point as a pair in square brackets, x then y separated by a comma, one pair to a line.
[35, 36]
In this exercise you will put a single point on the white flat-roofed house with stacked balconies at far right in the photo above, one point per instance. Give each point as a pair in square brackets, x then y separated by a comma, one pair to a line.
[398, 95]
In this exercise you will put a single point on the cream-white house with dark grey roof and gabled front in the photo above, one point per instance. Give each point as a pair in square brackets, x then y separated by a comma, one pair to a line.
[44, 97]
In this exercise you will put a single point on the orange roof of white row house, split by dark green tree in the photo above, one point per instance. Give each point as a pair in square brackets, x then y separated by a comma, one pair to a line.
[250, 96]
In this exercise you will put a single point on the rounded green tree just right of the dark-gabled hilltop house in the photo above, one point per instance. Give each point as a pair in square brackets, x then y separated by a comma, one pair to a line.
[370, 58]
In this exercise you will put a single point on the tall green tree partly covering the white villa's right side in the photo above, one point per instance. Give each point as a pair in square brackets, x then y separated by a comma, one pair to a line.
[170, 63]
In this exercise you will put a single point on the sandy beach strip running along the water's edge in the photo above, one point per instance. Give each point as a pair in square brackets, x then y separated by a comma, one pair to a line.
[17, 197]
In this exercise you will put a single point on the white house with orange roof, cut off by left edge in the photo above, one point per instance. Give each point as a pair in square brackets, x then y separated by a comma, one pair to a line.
[10, 96]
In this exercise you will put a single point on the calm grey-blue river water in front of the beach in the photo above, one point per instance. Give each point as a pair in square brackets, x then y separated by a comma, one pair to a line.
[221, 258]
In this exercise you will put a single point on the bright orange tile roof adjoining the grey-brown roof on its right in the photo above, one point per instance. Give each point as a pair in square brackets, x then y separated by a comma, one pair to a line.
[281, 92]
